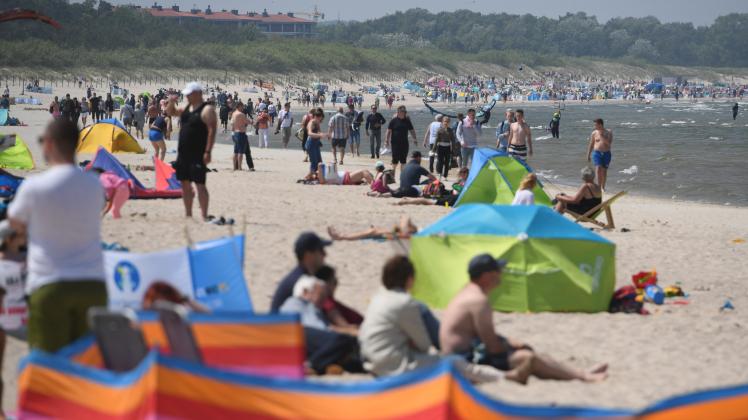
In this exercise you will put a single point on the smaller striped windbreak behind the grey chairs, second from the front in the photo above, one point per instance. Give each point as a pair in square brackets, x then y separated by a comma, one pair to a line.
[259, 344]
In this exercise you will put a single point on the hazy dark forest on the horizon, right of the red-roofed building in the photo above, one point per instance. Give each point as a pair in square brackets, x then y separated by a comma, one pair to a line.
[722, 43]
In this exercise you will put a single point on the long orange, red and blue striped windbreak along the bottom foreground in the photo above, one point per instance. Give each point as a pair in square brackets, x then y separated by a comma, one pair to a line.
[54, 386]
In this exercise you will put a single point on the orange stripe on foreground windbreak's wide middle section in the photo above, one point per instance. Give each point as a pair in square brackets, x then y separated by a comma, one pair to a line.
[265, 402]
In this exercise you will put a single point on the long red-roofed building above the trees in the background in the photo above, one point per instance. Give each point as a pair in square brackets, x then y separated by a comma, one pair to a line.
[279, 24]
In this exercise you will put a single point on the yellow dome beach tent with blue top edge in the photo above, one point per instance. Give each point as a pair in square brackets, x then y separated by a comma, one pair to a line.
[109, 134]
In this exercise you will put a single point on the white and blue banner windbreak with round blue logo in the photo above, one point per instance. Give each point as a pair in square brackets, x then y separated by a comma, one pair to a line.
[211, 273]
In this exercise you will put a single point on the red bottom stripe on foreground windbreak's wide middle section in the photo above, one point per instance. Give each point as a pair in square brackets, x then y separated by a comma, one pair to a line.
[169, 405]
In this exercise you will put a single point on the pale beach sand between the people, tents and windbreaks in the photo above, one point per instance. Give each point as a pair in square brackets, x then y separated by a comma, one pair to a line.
[676, 349]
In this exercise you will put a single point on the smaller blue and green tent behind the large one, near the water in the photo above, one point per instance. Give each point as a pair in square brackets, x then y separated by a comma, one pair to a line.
[494, 178]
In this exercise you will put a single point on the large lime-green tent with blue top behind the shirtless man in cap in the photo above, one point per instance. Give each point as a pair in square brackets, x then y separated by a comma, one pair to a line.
[553, 263]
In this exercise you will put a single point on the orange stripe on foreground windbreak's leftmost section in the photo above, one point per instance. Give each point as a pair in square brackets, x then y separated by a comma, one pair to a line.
[112, 401]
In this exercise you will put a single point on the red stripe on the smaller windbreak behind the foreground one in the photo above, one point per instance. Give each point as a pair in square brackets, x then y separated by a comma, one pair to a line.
[253, 356]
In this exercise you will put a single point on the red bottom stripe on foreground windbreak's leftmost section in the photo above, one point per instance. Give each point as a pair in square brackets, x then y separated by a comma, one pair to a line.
[36, 404]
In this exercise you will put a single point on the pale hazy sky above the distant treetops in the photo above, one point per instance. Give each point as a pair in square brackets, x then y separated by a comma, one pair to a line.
[698, 12]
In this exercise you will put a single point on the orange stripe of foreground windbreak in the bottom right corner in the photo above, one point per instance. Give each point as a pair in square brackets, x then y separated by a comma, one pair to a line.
[723, 409]
